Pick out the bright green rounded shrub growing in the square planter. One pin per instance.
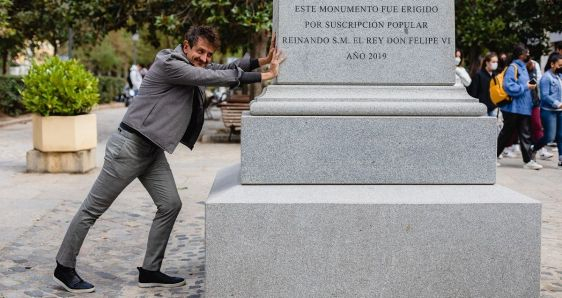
(60, 88)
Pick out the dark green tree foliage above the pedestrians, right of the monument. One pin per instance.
(496, 25)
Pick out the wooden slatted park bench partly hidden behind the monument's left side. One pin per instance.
(232, 110)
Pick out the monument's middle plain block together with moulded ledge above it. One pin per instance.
(374, 135)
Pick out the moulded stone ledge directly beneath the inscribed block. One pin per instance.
(333, 100)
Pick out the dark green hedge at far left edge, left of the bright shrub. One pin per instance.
(10, 99)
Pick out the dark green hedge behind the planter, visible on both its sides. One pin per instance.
(10, 98)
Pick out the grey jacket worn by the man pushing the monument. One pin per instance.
(169, 107)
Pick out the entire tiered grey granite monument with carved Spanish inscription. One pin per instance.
(365, 172)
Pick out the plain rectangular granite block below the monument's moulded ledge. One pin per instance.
(368, 150)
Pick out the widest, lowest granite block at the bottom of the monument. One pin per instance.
(370, 241)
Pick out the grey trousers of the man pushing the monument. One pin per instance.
(127, 157)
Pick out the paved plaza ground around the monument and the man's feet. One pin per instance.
(36, 209)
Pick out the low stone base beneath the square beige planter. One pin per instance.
(61, 162)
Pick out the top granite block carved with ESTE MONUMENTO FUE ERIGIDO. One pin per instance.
(364, 42)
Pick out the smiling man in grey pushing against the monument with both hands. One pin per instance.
(167, 111)
